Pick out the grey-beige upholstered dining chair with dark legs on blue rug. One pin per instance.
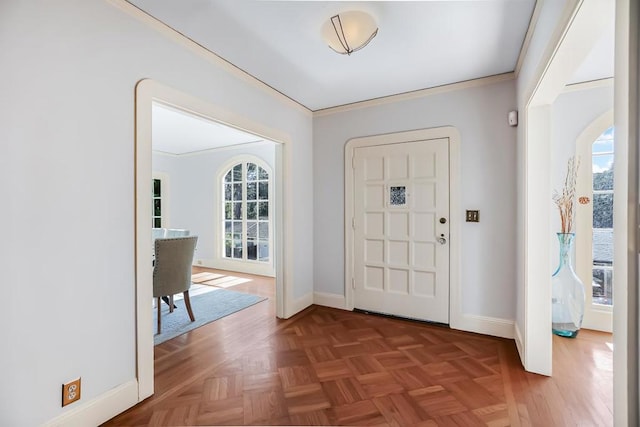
(172, 271)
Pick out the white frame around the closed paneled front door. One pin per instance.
(452, 134)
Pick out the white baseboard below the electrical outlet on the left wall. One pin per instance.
(100, 409)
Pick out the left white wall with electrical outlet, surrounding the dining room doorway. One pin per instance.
(67, 172)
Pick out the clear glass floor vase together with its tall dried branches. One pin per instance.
(567, 291)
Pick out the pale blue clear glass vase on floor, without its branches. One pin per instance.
(567, 292)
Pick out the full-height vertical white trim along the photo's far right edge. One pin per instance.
(625, 214)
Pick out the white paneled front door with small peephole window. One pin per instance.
(401, 229)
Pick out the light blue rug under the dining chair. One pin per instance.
(208, 304)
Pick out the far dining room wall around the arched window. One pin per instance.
(193, 188)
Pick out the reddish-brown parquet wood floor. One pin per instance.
(332, 367)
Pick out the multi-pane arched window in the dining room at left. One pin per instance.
(246, 209)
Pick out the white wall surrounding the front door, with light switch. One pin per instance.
(488, 157)
